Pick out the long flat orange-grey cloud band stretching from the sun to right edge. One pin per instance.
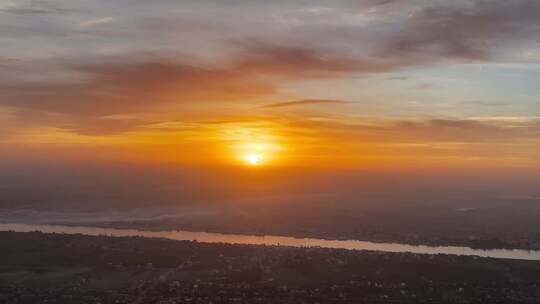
(428, 131)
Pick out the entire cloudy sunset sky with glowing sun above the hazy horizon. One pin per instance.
(335, 84)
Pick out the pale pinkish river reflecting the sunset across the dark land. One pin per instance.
(277, 240)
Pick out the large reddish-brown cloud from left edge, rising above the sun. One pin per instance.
(120, 86)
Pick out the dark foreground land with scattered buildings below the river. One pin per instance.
(54, 268)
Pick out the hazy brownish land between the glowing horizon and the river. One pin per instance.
(413, 207)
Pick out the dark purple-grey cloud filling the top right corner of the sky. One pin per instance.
(465, 29)
